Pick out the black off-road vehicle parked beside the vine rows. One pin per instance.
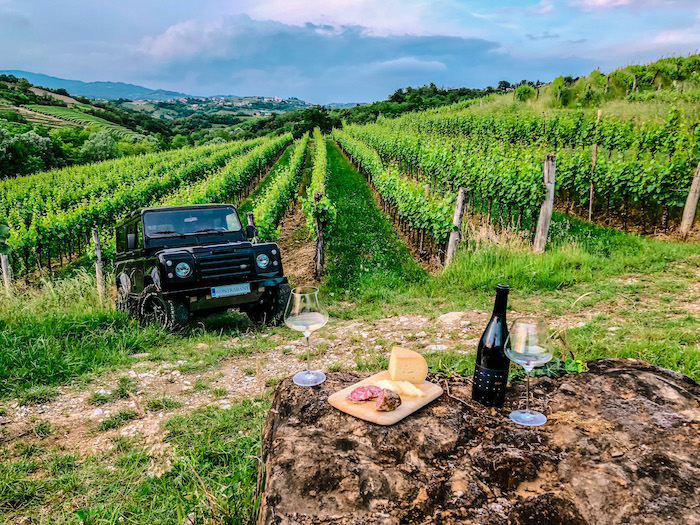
(180, 260)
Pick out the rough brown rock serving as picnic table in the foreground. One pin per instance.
(622, 445)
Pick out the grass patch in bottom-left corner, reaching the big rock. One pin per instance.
(212, 449)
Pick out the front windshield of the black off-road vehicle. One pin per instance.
(192, 221)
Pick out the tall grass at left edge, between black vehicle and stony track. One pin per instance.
(62, 332)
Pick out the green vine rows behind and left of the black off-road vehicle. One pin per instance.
(50, 226)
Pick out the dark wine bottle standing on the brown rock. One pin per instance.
(491, 371)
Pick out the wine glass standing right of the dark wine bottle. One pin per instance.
(529, 345)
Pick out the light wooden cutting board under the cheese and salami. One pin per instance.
(366, 411)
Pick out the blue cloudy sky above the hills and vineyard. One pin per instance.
(337, 50)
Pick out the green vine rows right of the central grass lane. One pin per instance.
(606, 170)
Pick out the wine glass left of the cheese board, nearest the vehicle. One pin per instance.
(305, 314)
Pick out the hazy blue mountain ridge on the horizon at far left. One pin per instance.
(102, 90)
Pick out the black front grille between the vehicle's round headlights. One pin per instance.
(224, 264)
